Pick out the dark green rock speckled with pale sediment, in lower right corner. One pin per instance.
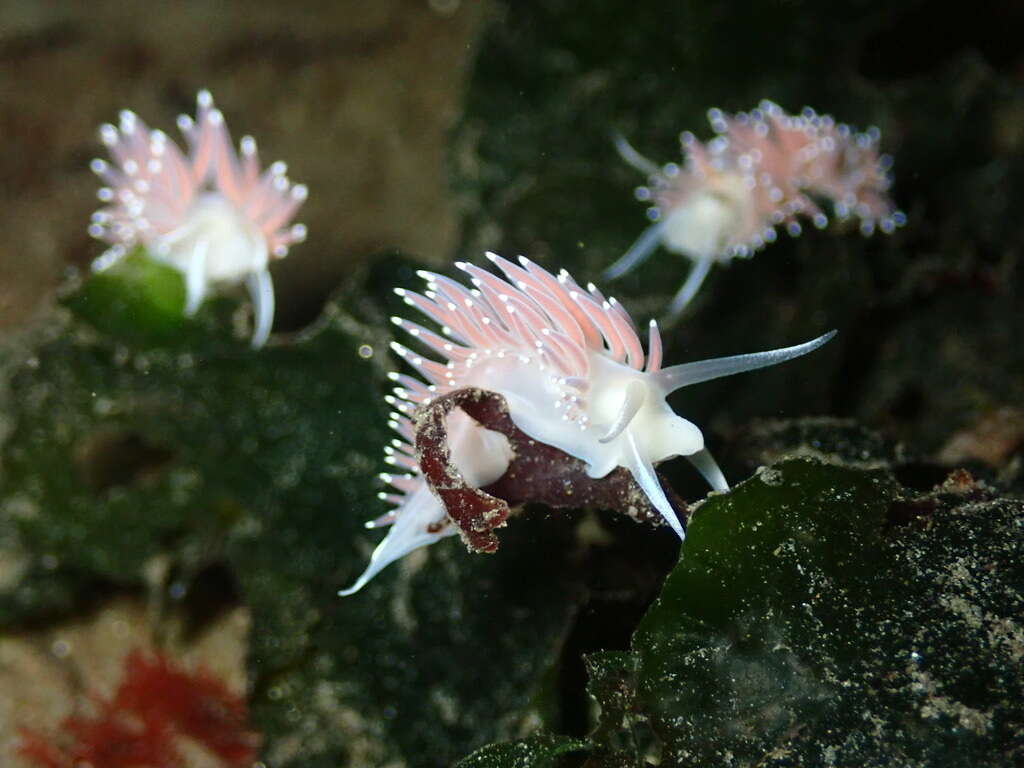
(831, 618)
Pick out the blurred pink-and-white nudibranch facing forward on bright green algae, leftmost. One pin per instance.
(214, 216)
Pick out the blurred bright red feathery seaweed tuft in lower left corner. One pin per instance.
(156, 707)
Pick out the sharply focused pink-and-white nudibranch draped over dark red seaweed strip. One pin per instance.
(574, 373)
